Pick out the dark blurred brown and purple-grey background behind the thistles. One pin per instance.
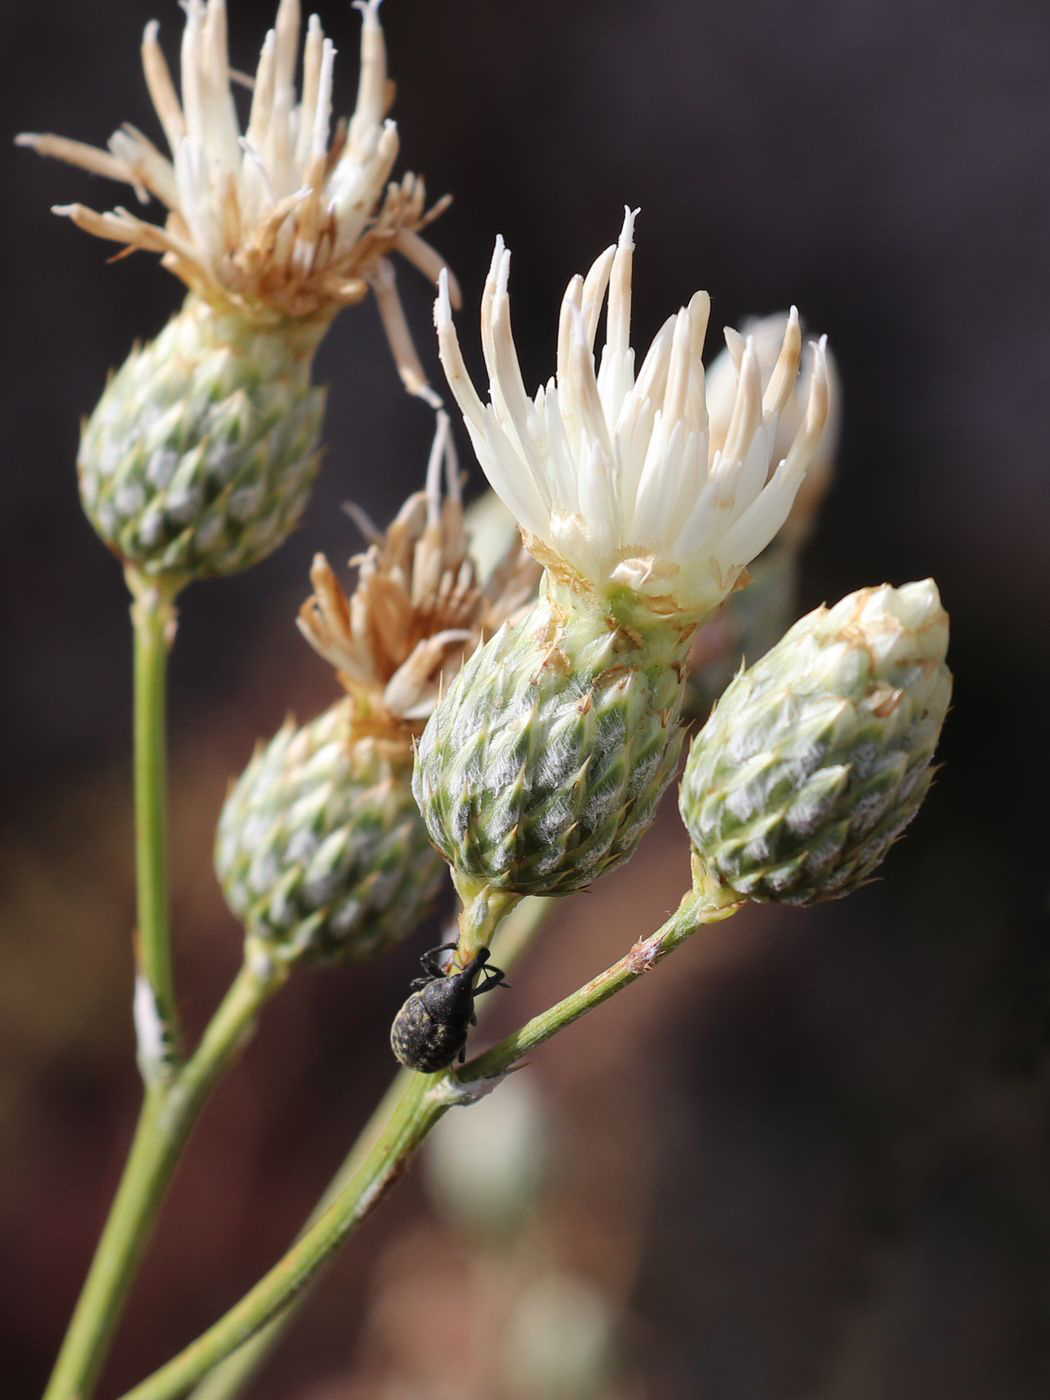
(807, 1160)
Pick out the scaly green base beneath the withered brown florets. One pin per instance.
(320, 850)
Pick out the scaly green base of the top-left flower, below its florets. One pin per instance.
(202, 451)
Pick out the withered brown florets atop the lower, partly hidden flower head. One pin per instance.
(419, 607)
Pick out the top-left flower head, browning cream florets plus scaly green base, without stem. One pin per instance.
(202, 450)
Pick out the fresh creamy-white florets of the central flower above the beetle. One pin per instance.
(611, 474)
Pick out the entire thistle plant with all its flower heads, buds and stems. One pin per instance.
(524, 741)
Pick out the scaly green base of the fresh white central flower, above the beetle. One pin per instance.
(542, 766)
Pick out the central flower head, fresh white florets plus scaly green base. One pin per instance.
(542, 766)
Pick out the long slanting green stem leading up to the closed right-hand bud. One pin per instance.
(421, 1104)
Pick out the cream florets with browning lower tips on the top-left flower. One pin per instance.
(290, 215)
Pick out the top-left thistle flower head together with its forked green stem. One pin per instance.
(199, 457)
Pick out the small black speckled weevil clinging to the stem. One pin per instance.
(430, 1030)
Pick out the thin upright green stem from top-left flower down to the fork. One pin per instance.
(153, 621)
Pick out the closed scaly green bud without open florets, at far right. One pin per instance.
(818, 757)
